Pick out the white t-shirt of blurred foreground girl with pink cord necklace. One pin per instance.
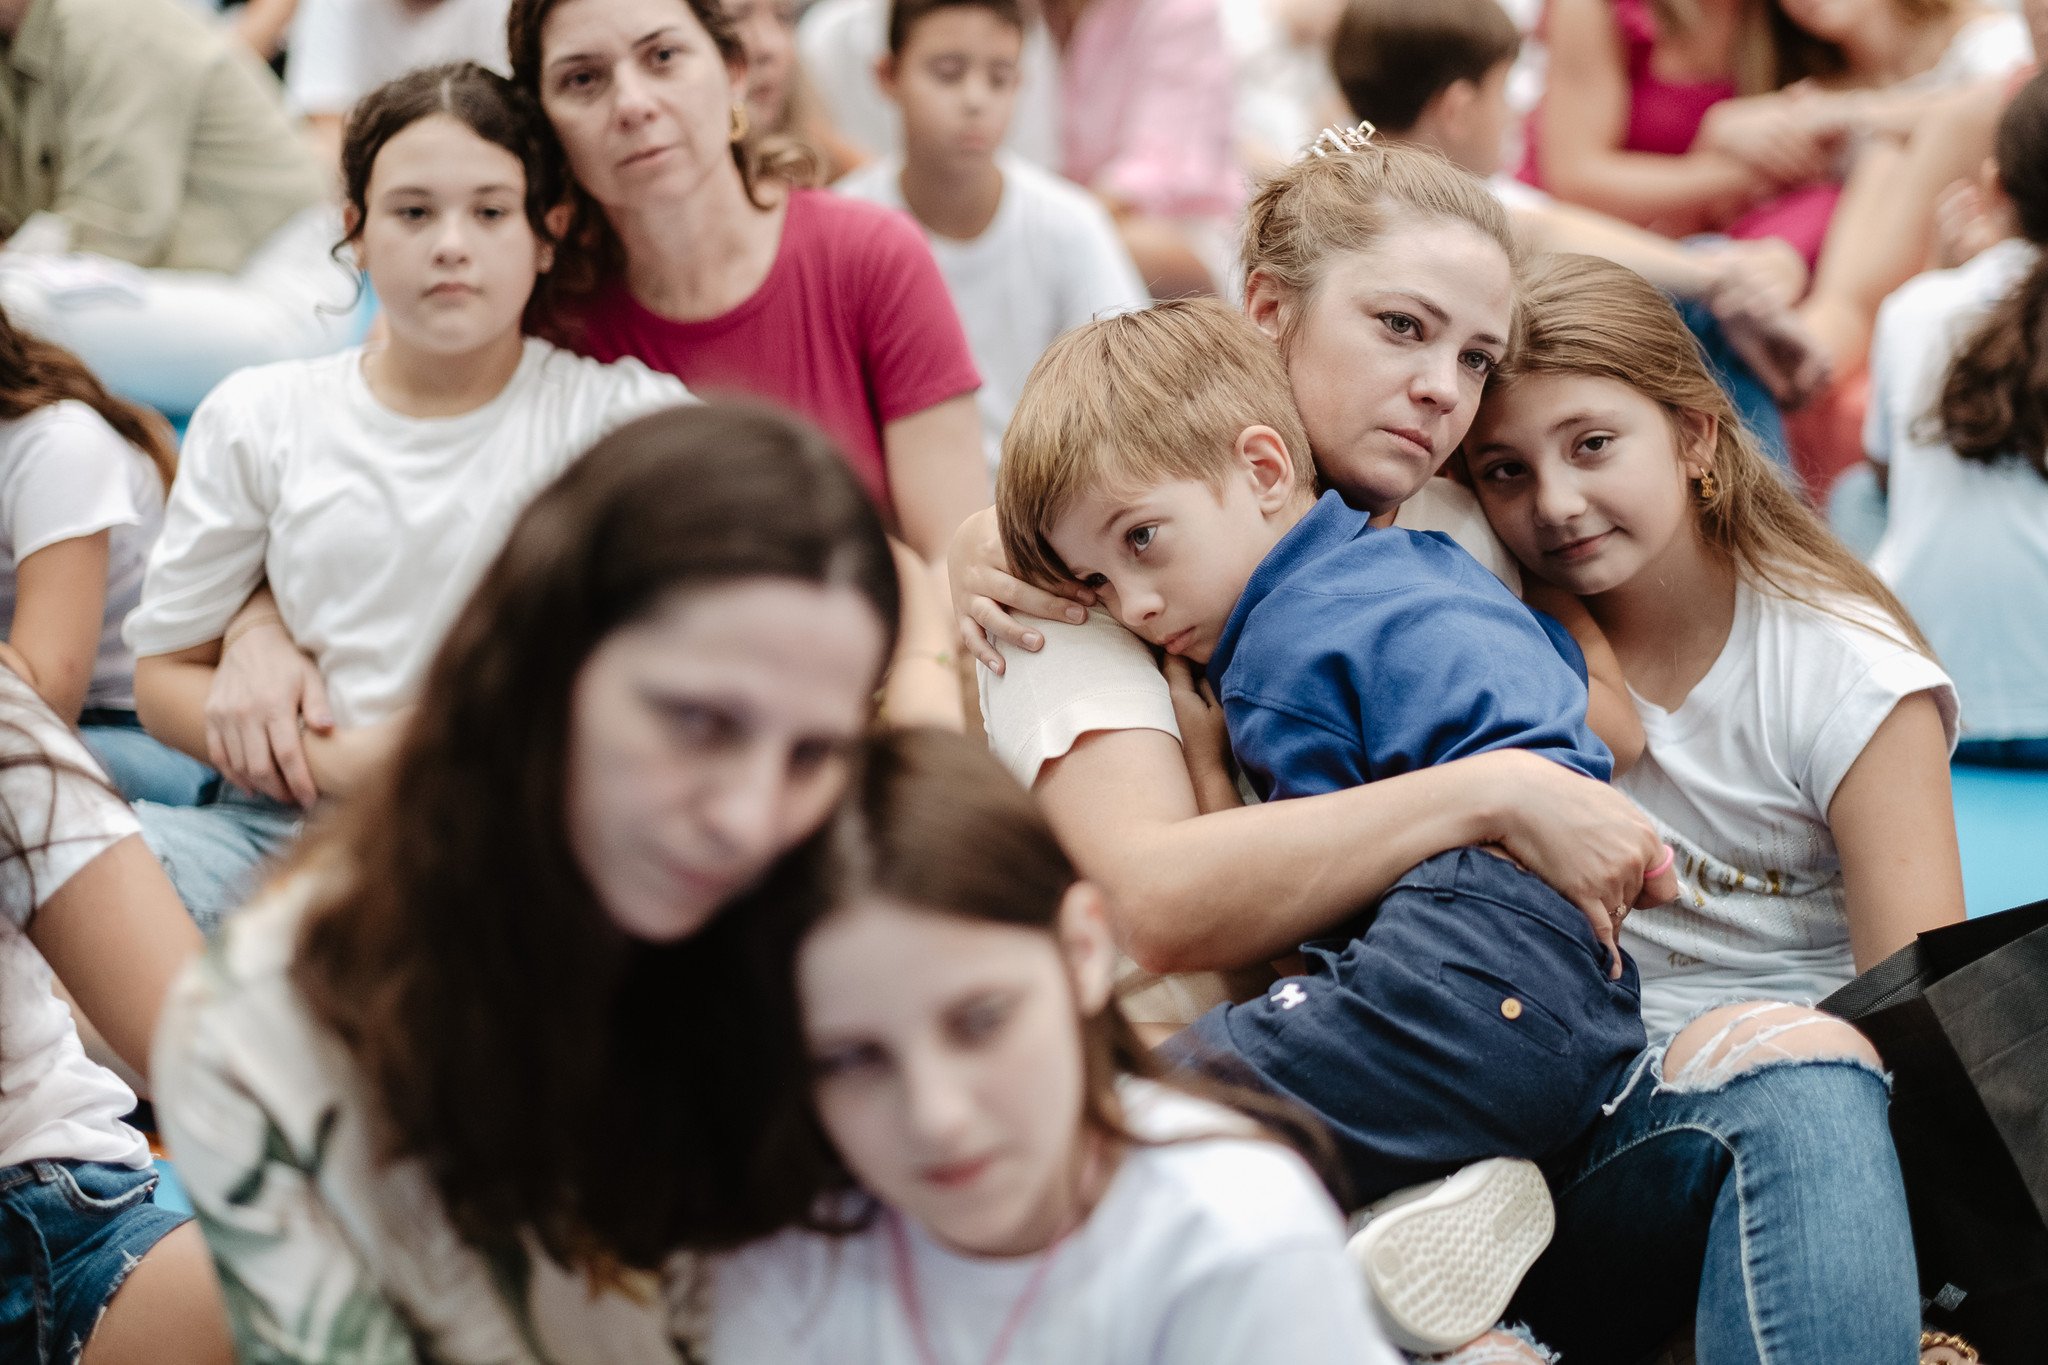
(1211, 1249)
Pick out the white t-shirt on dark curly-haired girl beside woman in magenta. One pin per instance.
(372, 527)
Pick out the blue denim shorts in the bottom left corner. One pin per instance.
(71, 1231)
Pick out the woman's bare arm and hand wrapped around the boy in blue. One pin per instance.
(1242, 887)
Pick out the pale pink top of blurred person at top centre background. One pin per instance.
(1146, 107)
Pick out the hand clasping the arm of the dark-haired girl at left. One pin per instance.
(261, 691)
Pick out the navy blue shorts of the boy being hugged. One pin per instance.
(1465, 1016)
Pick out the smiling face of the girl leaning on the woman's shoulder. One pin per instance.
(1586, 480)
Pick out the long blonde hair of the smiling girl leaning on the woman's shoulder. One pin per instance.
(1588, 316)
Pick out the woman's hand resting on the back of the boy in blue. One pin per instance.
(1580, 836)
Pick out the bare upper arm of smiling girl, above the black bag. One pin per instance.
(1895, 830)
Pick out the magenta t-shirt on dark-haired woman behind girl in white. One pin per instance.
(853, 328)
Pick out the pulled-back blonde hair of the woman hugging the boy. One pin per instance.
(1322, 208)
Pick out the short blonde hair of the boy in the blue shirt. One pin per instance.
(1132, 402)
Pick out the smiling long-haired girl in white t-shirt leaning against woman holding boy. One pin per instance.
(1797, 723)
